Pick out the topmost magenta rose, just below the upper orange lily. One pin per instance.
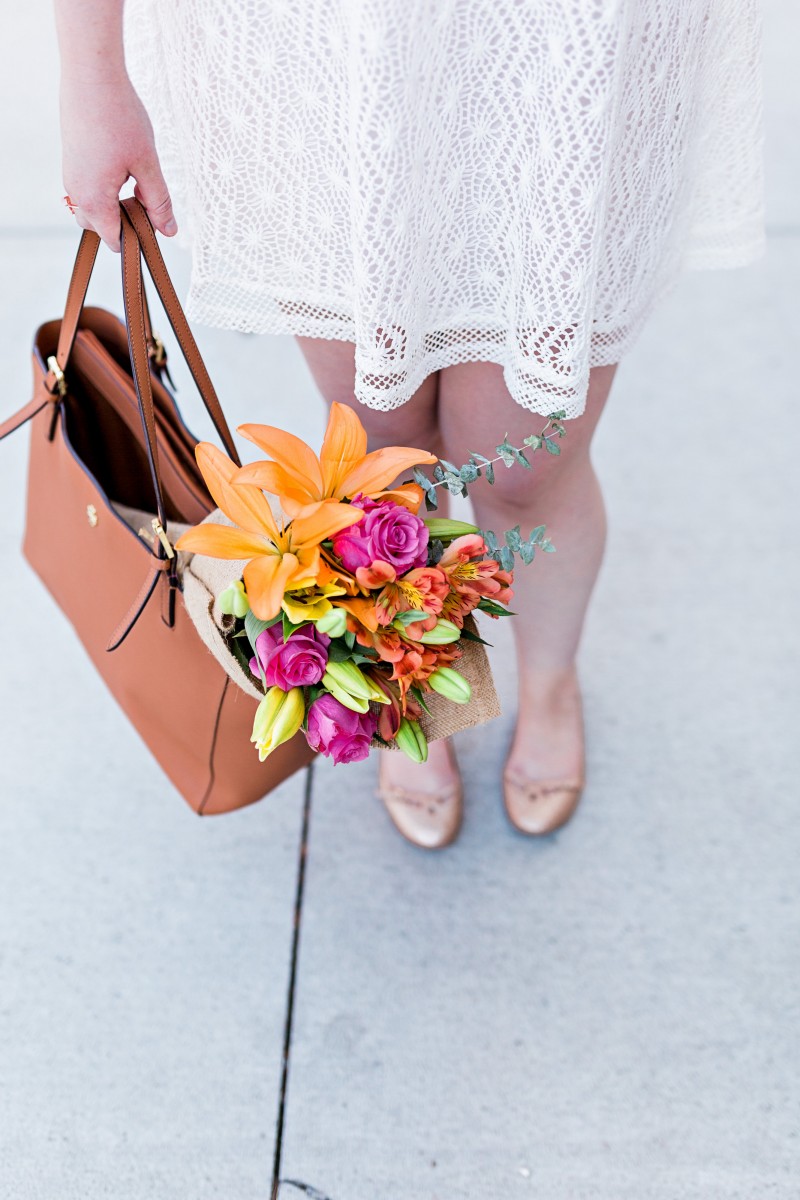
(389, 533)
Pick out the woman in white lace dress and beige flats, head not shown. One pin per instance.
(465, 211)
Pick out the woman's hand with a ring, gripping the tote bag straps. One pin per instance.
(107, 139)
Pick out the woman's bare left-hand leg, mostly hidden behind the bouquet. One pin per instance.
(414, 424)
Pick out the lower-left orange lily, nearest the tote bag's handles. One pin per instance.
(281, 557)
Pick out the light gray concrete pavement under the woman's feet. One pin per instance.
(610, 1015)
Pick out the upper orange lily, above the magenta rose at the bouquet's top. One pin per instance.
(344, 469)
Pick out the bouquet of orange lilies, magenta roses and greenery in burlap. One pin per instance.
(348, 614)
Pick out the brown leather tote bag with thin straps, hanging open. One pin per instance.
(112, 472)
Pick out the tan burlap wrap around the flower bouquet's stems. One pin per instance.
(206, 579)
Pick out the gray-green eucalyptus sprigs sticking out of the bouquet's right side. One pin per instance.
(458, 481)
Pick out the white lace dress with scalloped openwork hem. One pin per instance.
(516, 182)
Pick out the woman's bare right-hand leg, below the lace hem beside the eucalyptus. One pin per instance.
(551, 595)
